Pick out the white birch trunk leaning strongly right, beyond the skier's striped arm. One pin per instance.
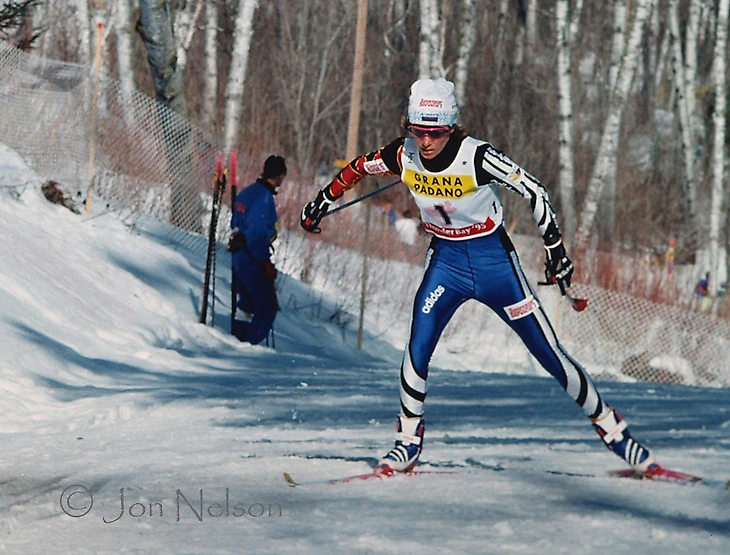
(612, 127)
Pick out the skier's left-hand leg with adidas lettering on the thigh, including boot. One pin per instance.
(436, 300)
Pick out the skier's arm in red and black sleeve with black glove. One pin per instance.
(384, 161)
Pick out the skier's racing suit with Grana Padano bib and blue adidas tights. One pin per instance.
(472, 257)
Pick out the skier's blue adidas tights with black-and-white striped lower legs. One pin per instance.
(485, 269)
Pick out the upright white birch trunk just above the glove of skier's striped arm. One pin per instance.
(565, 115)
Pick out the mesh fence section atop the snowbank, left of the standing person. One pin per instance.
(140, 156)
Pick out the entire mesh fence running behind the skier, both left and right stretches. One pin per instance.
(149, 162)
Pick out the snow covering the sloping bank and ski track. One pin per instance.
(110, 388)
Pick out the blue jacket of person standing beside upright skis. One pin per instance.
(254, 215)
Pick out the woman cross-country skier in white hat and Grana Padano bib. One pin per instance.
(455, 179)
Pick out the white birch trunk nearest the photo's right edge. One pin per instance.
(718, 159)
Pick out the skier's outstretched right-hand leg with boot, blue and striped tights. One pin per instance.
(518, 306)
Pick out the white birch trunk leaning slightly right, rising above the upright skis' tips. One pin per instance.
(237, 75)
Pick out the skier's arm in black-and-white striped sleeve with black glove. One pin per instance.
(495, 167)
